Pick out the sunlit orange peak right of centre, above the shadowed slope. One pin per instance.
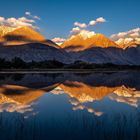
(82, 42)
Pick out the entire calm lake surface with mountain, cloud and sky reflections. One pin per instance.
(70, 106)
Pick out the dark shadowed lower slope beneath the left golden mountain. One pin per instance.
(34, 52)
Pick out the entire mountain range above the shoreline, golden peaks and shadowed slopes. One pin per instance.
(30, 45)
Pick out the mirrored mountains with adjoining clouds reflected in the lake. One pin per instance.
(18, 95)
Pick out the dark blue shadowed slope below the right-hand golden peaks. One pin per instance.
(118, 56)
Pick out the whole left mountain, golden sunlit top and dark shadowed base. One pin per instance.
(29, 45)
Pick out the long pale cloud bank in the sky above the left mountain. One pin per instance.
(17, 22)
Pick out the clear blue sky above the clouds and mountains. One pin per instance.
(58, 16)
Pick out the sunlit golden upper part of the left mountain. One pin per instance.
(22, 35)
